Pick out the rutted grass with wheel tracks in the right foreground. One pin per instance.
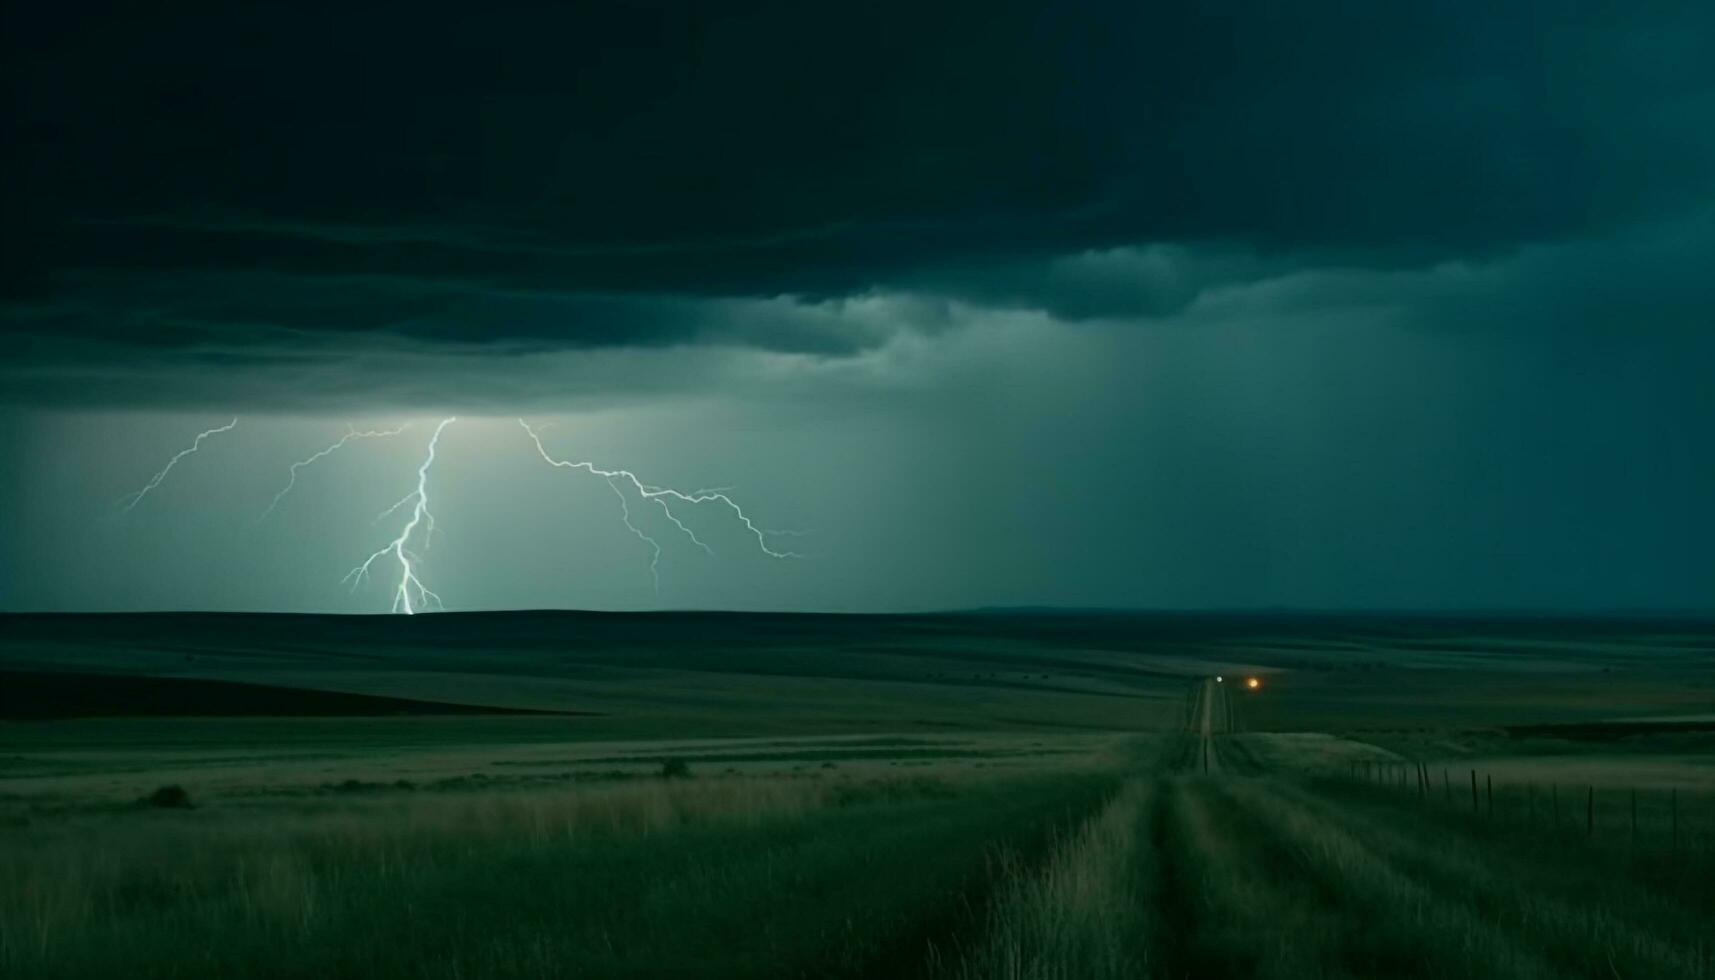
(1282, 880)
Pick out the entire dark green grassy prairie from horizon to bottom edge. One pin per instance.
(956, 797)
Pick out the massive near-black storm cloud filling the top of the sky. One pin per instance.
(255, 181)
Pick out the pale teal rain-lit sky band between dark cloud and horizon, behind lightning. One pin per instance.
(1249, 466)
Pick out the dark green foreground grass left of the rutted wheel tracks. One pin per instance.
(716, 880)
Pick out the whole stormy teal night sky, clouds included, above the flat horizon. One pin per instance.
(1098, 305)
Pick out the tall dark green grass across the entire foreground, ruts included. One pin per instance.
(1020, 878)
